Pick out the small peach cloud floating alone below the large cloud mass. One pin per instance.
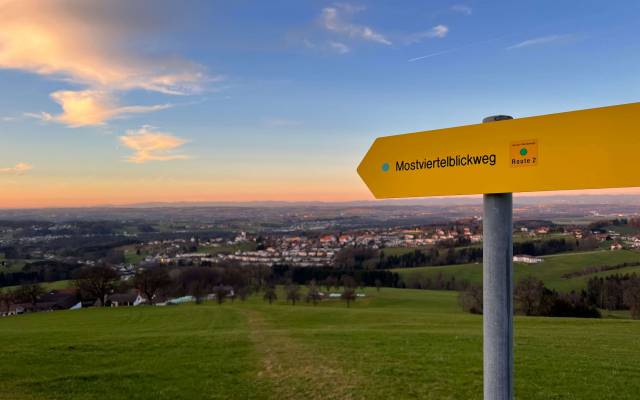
(150, 144)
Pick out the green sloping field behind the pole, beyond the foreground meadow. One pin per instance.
(550, 271)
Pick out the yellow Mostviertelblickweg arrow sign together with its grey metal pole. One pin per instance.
(589, 149)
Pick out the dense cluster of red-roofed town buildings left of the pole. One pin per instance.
(299, 250)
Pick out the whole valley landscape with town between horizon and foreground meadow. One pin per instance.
(53, 247)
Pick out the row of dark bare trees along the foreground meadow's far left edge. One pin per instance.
(159, 283)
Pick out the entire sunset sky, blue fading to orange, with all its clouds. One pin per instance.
(120, 102)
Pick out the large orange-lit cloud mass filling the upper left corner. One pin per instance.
(74, 43)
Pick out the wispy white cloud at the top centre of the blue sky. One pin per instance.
(336, 19)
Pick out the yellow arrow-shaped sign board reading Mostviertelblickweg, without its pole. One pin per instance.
(589, 149)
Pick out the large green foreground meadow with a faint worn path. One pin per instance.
(396, 344)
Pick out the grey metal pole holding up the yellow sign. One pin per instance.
(497, 279)
